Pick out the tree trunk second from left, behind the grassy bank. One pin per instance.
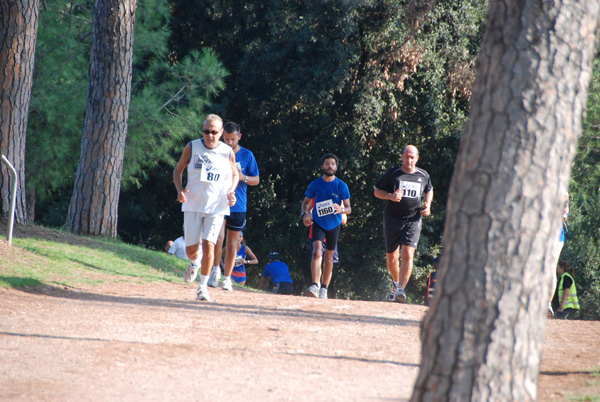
(94, 204)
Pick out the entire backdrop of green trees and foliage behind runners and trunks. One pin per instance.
(360, 78)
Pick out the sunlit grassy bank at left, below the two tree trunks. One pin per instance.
(73, 260)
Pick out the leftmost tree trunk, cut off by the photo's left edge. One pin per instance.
(18, 34)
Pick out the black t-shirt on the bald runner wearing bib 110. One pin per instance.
(414, 184)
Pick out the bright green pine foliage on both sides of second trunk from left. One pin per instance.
(166, 102)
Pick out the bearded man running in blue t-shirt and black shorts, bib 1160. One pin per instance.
(331, 200)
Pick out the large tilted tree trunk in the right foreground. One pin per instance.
(482, 337)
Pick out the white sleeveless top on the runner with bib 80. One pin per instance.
(209, 178)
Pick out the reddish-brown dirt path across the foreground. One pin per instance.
(154, 342)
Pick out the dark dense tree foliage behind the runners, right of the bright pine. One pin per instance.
(361, 79)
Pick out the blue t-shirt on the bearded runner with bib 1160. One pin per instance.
(325, 194)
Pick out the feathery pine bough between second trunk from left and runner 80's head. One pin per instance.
(164, 112)
